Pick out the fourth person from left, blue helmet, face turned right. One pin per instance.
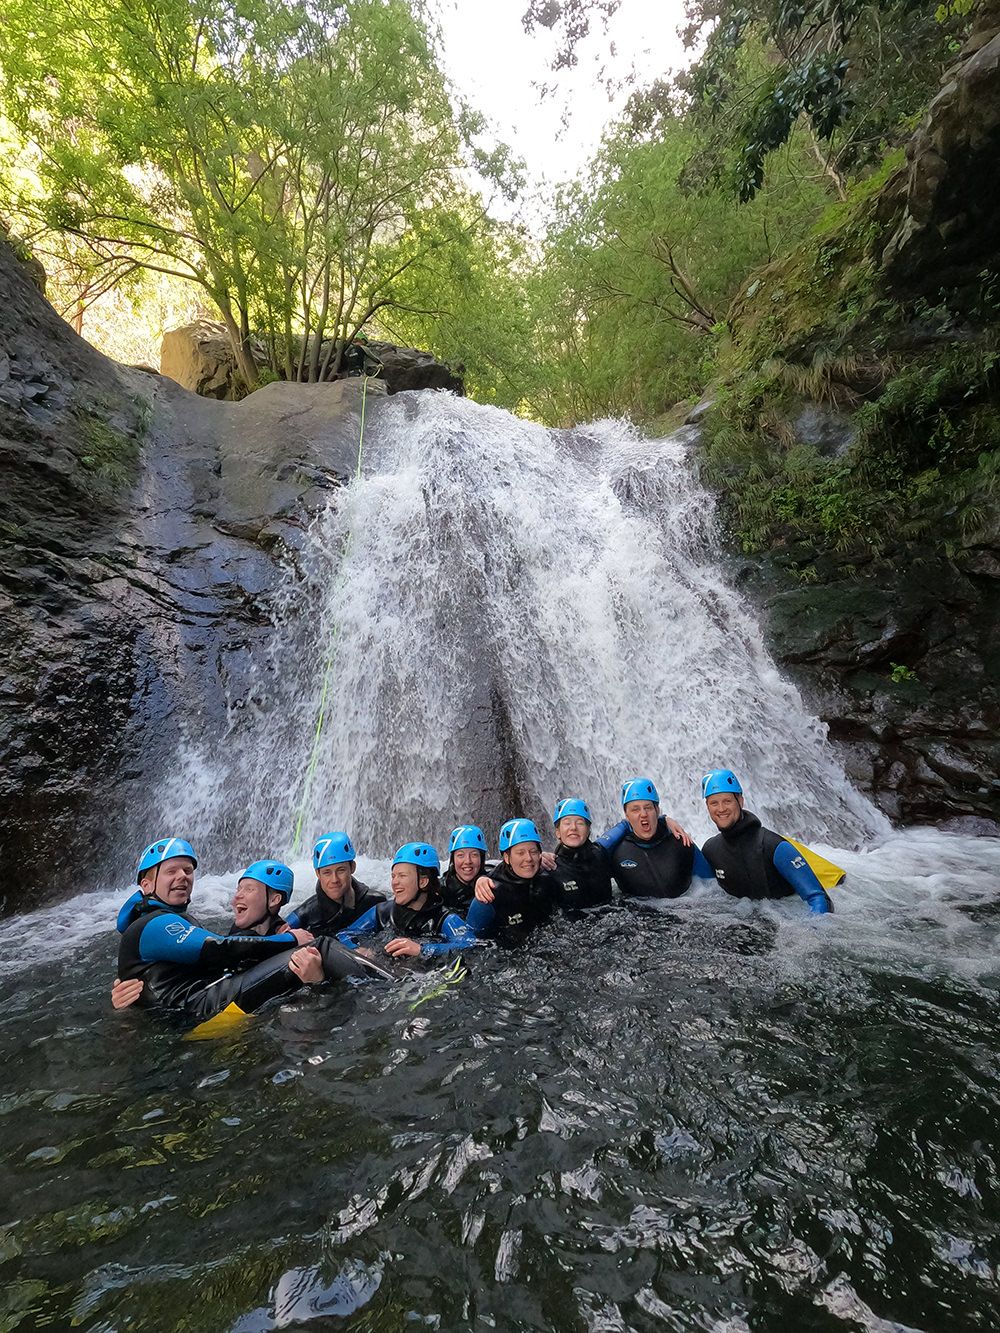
(425, 926)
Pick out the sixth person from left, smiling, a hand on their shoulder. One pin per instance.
(519, 896)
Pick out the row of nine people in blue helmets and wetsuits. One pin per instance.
(167, 960)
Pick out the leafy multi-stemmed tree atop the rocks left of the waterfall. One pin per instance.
(283, 158)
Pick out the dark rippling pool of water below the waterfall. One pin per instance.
(714, 1118)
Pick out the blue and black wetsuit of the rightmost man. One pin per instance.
(751, 862)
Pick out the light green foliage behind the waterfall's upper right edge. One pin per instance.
(638, 273)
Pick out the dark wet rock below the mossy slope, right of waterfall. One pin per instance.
(902, 661)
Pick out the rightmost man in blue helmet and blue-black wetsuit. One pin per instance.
(749, 860)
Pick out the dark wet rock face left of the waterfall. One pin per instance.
(142, 531)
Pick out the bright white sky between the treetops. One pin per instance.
(502, 70)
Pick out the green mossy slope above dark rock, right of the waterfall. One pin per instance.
(922, 383)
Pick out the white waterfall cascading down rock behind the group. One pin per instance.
(515, 615)
